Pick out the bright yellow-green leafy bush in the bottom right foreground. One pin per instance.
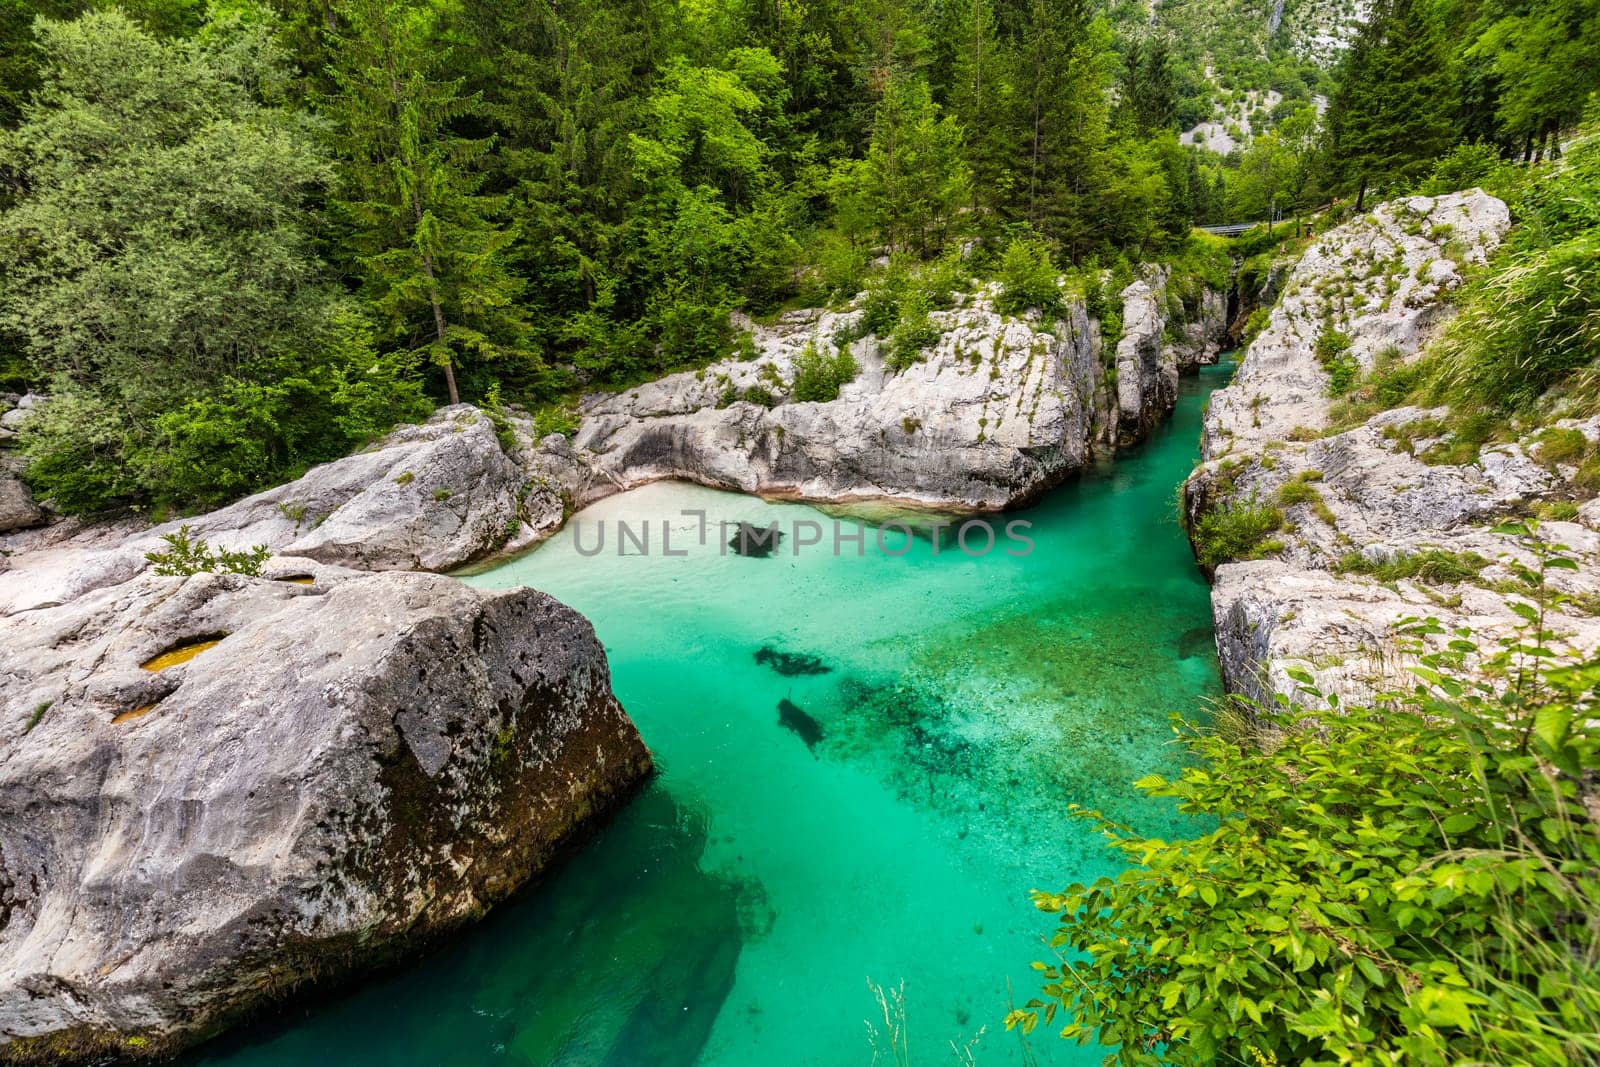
(1404, 882)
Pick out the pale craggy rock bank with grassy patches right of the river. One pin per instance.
(1372, 495)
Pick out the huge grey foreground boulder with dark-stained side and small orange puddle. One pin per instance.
(359, 765)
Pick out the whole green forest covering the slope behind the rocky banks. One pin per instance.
(247, 238)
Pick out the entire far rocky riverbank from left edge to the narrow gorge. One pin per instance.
(998, 412)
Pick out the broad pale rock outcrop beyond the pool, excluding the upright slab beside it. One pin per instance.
(998, 412)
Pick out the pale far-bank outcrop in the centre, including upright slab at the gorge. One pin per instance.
(993, 415)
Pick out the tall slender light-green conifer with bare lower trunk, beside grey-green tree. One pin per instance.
(428, 244)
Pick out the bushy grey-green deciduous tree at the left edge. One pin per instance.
(191, 346)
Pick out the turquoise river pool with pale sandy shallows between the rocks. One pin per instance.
(814, 829)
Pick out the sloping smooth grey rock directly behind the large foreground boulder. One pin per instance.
(428, 497)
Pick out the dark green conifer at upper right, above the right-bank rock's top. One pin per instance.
(1391, 114)
